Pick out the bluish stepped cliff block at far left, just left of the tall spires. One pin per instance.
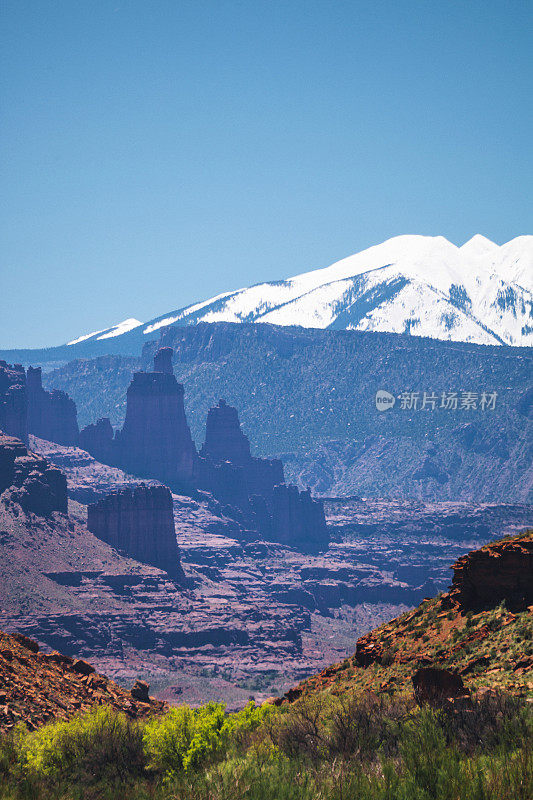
(51, 415)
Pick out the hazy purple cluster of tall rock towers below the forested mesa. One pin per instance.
(155, 442)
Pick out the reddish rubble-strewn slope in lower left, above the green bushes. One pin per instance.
(38, 687)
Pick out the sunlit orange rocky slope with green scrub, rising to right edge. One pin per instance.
(469, 631)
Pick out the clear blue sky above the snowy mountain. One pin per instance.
(158, 152)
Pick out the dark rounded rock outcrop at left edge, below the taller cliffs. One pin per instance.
(28, 479)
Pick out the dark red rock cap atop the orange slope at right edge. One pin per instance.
(496, 572)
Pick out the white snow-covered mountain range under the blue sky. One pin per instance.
(423, 285)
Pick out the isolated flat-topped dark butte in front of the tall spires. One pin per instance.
(139, 522)
